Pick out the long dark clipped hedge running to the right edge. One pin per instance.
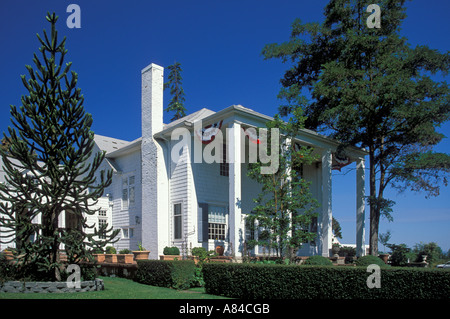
(253, 281)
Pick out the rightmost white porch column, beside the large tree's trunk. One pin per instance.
(360, 207)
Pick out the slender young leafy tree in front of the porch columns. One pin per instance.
(285, 208)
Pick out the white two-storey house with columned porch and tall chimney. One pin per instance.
(165, 195)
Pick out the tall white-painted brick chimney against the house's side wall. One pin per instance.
(155, 195)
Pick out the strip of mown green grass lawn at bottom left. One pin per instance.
(120, 288)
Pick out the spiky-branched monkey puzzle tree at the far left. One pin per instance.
(50, 168)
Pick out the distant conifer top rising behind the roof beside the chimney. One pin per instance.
(176, 104)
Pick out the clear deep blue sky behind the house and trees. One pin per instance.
(219, 45)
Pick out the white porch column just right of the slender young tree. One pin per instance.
(326, 213)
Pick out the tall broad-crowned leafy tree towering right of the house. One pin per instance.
(369, 88)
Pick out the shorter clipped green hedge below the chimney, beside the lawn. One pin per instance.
(178, 274)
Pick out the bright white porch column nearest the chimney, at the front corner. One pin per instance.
(234, 158)
